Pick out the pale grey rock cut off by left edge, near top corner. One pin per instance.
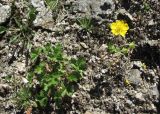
(5, 13)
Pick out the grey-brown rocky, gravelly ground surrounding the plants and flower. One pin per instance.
(112, 83)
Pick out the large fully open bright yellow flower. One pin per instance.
(119, 28)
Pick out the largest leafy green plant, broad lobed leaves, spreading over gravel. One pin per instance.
(51, 77)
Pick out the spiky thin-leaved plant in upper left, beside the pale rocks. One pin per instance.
(22, 29)
